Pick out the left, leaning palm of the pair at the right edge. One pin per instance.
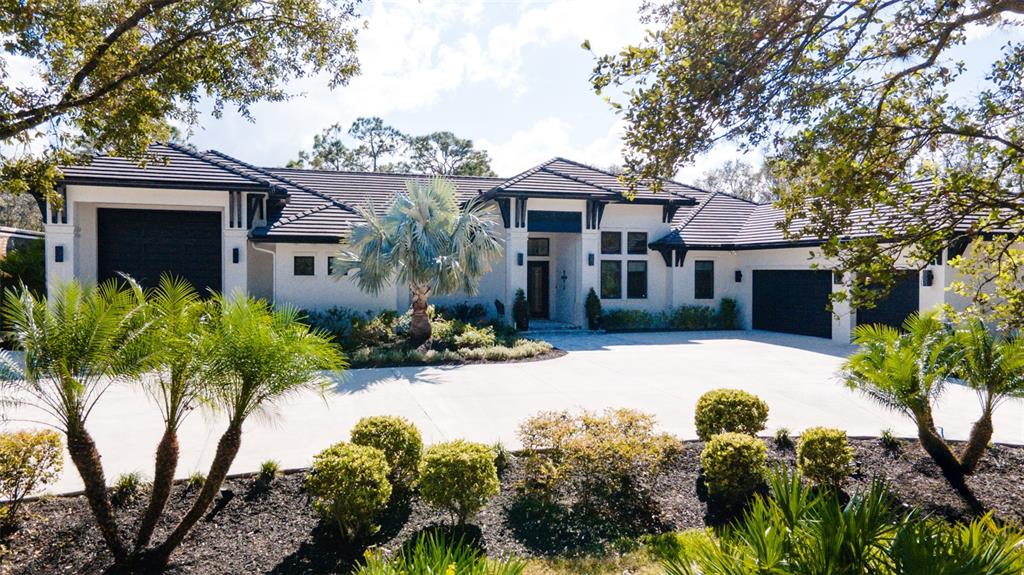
(907, 372)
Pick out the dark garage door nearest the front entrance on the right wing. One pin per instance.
(793, 302)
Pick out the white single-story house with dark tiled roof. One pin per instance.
(274, 233)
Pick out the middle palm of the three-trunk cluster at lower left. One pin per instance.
(181, 361)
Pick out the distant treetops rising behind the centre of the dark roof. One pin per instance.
(381, 148)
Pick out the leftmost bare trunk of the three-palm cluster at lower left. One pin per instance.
(87, 459)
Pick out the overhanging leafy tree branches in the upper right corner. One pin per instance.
(851, 102)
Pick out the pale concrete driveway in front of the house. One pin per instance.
(662, 374)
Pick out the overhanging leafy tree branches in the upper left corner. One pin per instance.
(112, 76)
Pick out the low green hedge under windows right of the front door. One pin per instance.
(682, 319)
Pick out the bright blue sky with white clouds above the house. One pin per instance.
(509, 75)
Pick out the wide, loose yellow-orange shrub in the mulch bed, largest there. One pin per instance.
(607, 463)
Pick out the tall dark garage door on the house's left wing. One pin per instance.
(146, 244)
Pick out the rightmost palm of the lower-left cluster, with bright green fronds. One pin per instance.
(259, 357)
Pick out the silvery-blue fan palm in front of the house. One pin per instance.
(426, 241)
